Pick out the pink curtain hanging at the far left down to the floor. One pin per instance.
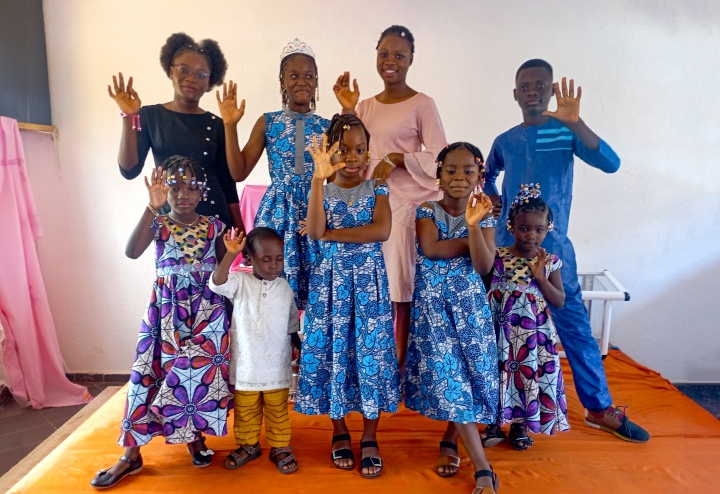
(31, 354)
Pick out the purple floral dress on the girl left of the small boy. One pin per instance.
(179, 381)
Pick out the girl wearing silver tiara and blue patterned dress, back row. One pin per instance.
(291, 167)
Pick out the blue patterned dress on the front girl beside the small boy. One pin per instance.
(348, 358)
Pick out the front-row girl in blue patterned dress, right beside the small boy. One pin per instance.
(348, 358)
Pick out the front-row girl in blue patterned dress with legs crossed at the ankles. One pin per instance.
(451, 372)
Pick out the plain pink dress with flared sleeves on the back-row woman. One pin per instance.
(412, 127)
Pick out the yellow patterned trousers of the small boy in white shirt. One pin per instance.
(251, 406)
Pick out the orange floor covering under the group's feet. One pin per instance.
(682, 456)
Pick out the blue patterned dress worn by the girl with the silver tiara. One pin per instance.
(285, 202)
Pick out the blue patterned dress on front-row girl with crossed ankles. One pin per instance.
(451, 372)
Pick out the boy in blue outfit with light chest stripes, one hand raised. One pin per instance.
(542, 149)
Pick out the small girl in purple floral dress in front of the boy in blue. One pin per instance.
(525, 279)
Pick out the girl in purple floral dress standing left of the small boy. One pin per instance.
(178, 383)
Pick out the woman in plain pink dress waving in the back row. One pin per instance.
(407, 134)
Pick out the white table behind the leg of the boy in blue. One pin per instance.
(602, 287)
